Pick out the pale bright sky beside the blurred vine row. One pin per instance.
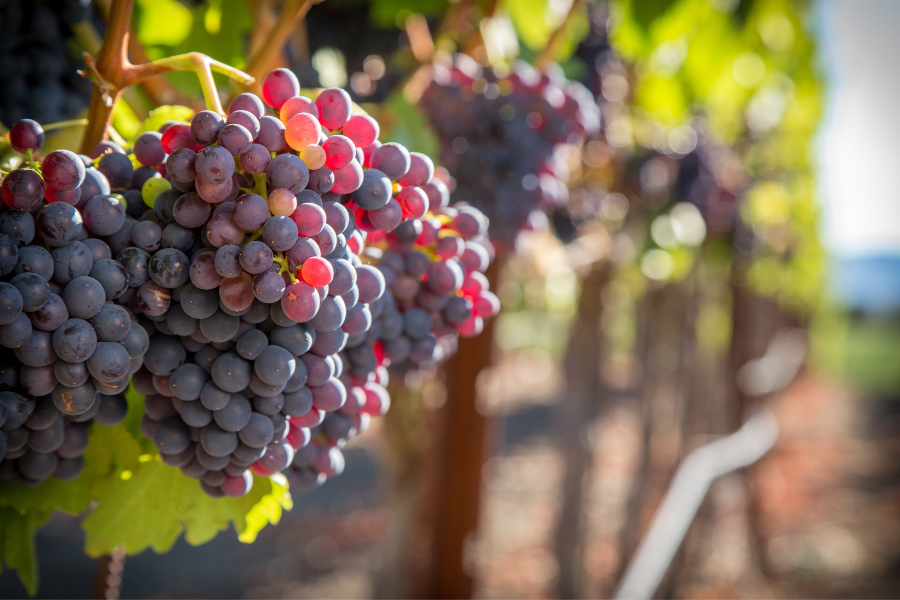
(860, 138)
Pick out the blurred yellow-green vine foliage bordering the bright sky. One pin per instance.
(747, 71)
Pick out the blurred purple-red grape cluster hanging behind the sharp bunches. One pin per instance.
(499, 135)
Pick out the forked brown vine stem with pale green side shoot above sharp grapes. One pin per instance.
(112, 72)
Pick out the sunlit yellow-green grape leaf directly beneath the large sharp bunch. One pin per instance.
(152, 507)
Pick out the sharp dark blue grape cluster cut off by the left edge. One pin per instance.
(68, 348)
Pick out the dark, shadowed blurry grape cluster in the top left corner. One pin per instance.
(38, 63)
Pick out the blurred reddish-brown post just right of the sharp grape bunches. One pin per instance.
(466, 437)
